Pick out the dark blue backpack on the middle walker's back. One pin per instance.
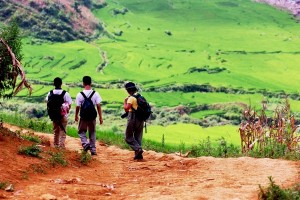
(87, 109)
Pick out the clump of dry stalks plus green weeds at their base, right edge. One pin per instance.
(274, 137)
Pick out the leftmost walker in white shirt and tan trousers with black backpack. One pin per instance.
(58, 105)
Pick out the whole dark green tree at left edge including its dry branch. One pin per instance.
(10, 56)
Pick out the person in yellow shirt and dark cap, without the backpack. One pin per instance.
(134, 129)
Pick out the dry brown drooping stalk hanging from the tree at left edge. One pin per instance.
(17, 70)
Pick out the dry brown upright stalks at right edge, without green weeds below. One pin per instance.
(257, 130)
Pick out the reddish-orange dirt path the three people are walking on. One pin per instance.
(160, 176)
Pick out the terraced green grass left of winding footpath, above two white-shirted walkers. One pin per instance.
(66, 60)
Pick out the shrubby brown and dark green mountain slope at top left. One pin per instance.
(58, 20)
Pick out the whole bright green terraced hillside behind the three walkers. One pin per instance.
(196, 61)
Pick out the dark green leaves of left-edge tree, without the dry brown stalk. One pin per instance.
(11, 35)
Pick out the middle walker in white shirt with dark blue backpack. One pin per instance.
(85, 103)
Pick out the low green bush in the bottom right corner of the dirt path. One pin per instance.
(274, 192)
